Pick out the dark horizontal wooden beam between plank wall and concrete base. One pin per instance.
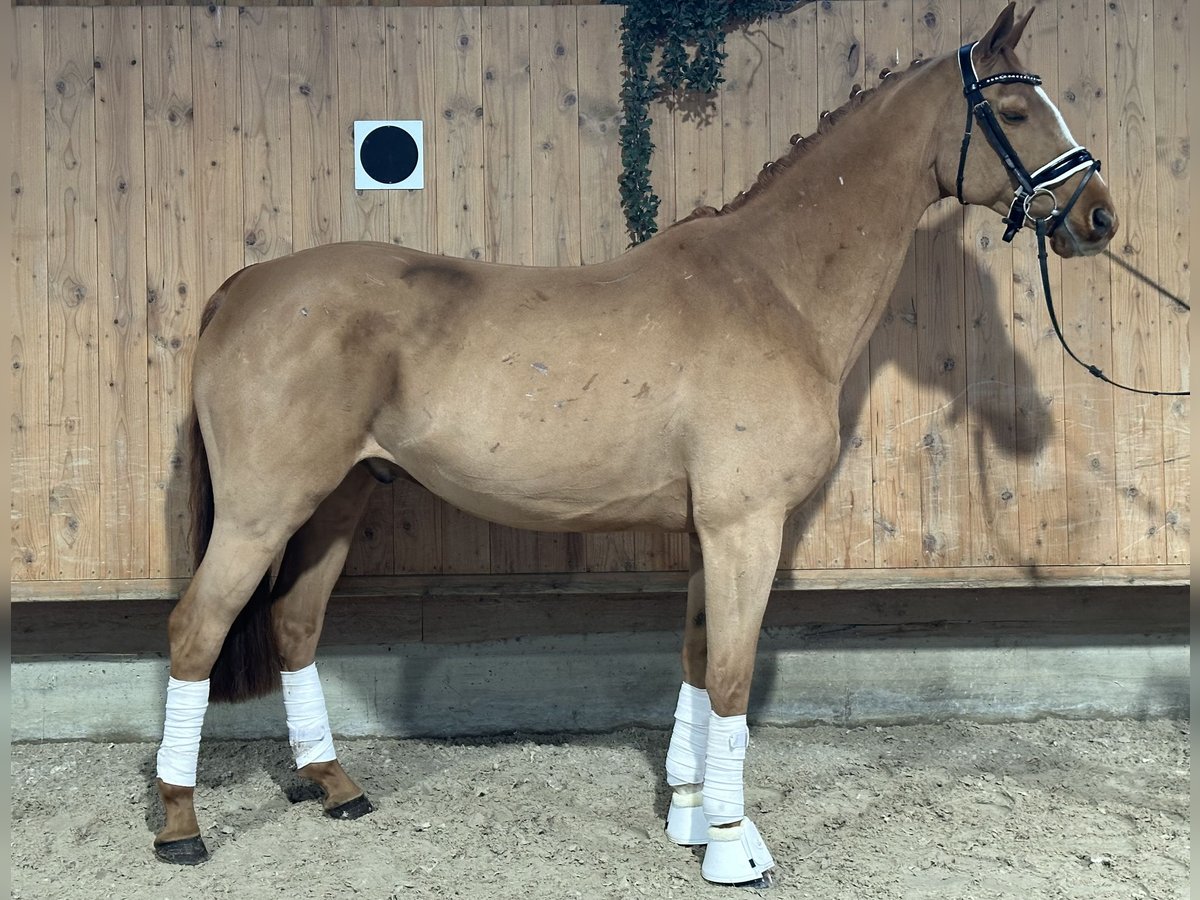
(964, 617)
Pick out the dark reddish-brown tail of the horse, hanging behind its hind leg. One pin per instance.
(248, 665)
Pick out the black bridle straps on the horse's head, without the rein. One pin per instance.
(1029, 185)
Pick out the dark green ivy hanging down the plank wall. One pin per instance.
(675, 27)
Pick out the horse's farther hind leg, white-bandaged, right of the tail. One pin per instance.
(311, 565)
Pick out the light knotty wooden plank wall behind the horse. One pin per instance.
(183, 143)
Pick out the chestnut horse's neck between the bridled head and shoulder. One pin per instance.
(835, 227)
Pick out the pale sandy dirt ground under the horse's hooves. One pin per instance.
(1054, 809)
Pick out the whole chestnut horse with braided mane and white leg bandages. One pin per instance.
(688, 386)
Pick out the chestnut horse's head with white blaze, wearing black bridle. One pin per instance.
(1034, 170)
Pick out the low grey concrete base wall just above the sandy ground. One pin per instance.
(601, 682)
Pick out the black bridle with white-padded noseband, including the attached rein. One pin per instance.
(1030, 187)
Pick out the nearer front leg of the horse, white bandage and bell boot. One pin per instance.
(740, 562)
